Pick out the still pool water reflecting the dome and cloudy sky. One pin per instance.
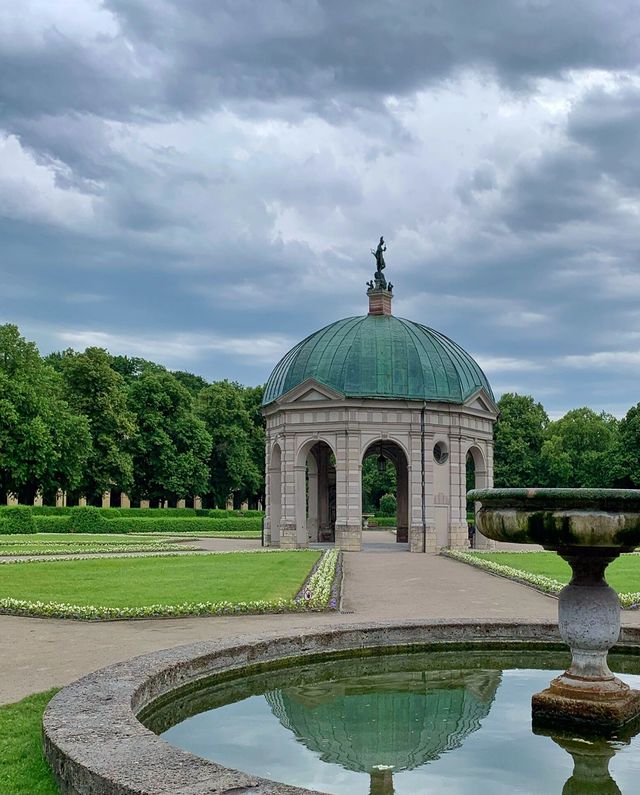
(445, 722)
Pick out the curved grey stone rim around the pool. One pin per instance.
(95, 743)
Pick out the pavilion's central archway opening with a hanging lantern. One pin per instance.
(385, 486)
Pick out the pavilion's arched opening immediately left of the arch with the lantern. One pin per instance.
(315, 474)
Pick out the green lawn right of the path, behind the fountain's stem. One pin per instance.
(623, 574)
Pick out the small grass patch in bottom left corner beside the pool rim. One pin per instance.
(23, 770)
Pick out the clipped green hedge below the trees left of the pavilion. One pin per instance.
(20, 519)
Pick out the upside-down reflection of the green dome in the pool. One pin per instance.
(386, 723)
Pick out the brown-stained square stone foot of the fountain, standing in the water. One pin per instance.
(604, 705)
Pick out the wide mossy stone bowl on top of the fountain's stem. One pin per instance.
(556, 518)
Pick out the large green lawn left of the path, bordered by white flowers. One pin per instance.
(138, 582)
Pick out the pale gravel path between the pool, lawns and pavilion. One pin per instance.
(36, 654)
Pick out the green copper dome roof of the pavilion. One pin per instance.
(380, 356)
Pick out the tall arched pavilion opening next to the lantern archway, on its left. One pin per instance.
(320, 494)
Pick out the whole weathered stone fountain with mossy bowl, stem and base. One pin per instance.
(588, 528)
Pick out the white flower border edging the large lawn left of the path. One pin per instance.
(317, 594)
